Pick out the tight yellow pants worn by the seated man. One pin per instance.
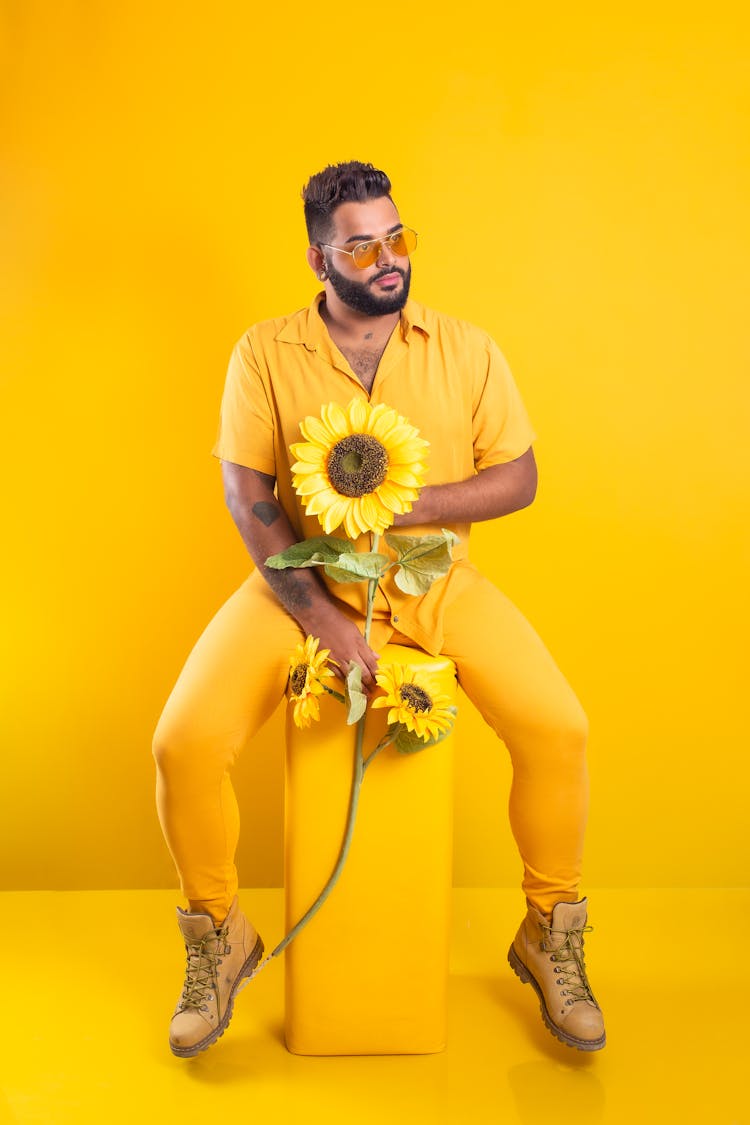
(237, 676)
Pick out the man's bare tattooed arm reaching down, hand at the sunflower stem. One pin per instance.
(266, 530)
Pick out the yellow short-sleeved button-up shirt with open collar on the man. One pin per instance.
(447, 377)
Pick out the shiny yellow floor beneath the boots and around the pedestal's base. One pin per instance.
(91, 979)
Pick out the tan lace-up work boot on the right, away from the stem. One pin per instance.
(550, 958)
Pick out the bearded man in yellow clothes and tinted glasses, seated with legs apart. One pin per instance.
(363, 337)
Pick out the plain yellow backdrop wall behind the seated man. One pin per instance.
(580, 182)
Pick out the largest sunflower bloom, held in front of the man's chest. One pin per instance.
(360, 466)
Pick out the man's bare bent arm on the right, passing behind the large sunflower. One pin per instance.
(496, 491)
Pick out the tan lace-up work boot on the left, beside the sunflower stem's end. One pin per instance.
(219, 959)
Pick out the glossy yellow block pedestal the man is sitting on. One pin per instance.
(369, 974)
